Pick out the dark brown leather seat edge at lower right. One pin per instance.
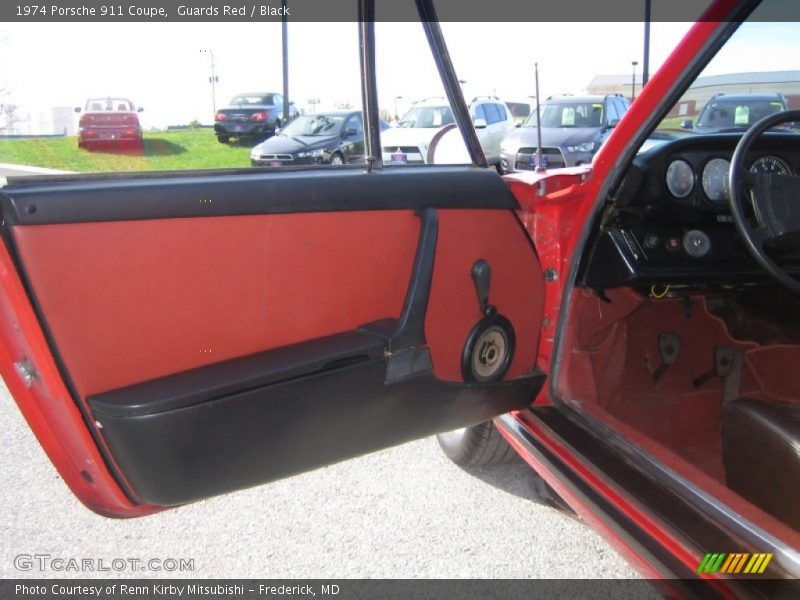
(761, 454)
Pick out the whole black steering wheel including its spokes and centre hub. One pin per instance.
(775, 201)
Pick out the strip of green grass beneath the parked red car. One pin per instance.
(161, 150)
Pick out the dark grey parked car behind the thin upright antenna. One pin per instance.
(573, 129)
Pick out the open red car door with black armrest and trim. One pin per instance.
(171, 337)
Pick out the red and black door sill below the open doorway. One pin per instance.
(680, 510)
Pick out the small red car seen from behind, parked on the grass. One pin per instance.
(108, 120)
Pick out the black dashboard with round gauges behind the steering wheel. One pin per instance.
(670, 224)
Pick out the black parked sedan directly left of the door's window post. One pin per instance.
(333, 138)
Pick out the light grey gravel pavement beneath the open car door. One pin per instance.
(404, 512)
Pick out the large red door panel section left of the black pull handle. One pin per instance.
(130, 301)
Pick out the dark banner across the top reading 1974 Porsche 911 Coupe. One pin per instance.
(154, 11)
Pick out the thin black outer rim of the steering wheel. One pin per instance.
(742, 185)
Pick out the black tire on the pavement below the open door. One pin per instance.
(478, 446)
